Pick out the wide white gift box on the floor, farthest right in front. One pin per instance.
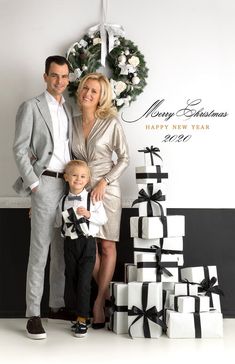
(191, 325)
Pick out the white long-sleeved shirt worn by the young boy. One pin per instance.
(98, 215)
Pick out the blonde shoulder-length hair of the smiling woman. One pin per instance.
(105, 107)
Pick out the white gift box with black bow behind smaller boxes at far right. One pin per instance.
(206, 277)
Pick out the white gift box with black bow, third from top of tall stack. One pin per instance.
(151, 201)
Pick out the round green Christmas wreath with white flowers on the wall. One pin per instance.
(128, 71)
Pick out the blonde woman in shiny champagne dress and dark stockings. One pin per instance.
(97, 134)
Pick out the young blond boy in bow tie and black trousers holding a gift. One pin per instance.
(79, 219)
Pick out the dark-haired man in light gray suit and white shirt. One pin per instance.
(41, 149)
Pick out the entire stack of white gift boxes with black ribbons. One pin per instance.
(158, 294)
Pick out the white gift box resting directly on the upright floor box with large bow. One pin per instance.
(147, 270)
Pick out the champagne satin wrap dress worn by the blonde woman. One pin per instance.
(105, 137)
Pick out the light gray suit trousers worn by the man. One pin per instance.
(44, 236)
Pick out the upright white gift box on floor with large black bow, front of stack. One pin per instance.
(136, 297)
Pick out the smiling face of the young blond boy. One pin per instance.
(77, 178)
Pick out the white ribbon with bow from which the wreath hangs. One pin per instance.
(108, 32)
